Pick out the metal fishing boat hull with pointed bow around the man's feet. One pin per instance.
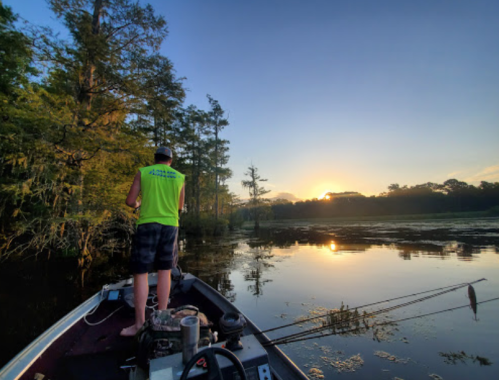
(72, 345)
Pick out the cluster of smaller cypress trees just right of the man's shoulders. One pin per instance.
(202, 156)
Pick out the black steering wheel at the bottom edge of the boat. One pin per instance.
(214, 372)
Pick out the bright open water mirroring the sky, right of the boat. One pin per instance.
(294, 281)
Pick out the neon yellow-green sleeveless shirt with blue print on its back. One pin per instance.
(160, 186)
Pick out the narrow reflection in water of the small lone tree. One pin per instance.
(260, 254)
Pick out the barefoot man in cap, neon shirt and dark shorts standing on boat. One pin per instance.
(155, 243)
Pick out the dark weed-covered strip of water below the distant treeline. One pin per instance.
(454, 237)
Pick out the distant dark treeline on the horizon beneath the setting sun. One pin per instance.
(428, 198)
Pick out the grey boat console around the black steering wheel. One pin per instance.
(252, 356)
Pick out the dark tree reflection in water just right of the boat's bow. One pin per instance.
(211, 261)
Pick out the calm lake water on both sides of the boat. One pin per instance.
(284, 270)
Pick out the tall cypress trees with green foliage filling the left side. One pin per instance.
(75, 132)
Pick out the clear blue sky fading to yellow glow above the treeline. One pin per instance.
(341, 95)
